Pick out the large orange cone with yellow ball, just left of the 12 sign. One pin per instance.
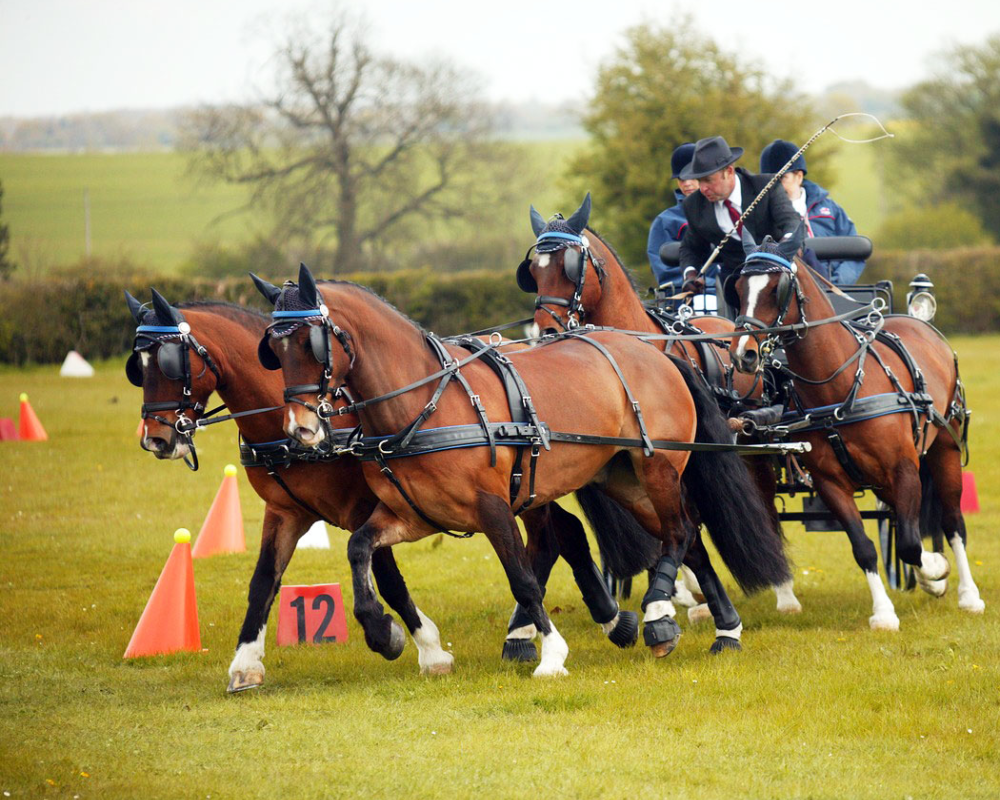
(170, 621)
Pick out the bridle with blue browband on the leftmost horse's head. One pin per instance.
(174, 359)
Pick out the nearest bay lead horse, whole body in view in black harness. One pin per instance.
(380, 355)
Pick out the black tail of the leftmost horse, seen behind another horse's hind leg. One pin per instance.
(626, 548)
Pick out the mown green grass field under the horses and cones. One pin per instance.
(816, 706)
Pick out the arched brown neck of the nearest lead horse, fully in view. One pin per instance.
(390, 352)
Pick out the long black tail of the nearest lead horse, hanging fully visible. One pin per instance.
(728, 499)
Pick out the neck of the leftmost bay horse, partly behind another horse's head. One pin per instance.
(243, 384)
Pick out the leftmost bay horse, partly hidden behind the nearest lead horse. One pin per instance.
(222, 358)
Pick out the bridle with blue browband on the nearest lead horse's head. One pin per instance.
(321, 328)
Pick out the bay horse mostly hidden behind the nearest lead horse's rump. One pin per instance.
(579, 279)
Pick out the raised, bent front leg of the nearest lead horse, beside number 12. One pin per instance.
(382, 633)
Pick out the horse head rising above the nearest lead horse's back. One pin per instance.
(558, 271)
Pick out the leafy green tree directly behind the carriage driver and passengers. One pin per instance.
(663, 87)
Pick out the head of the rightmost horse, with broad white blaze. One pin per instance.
(763, 291)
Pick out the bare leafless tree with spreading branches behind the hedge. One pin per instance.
(354, 148)
